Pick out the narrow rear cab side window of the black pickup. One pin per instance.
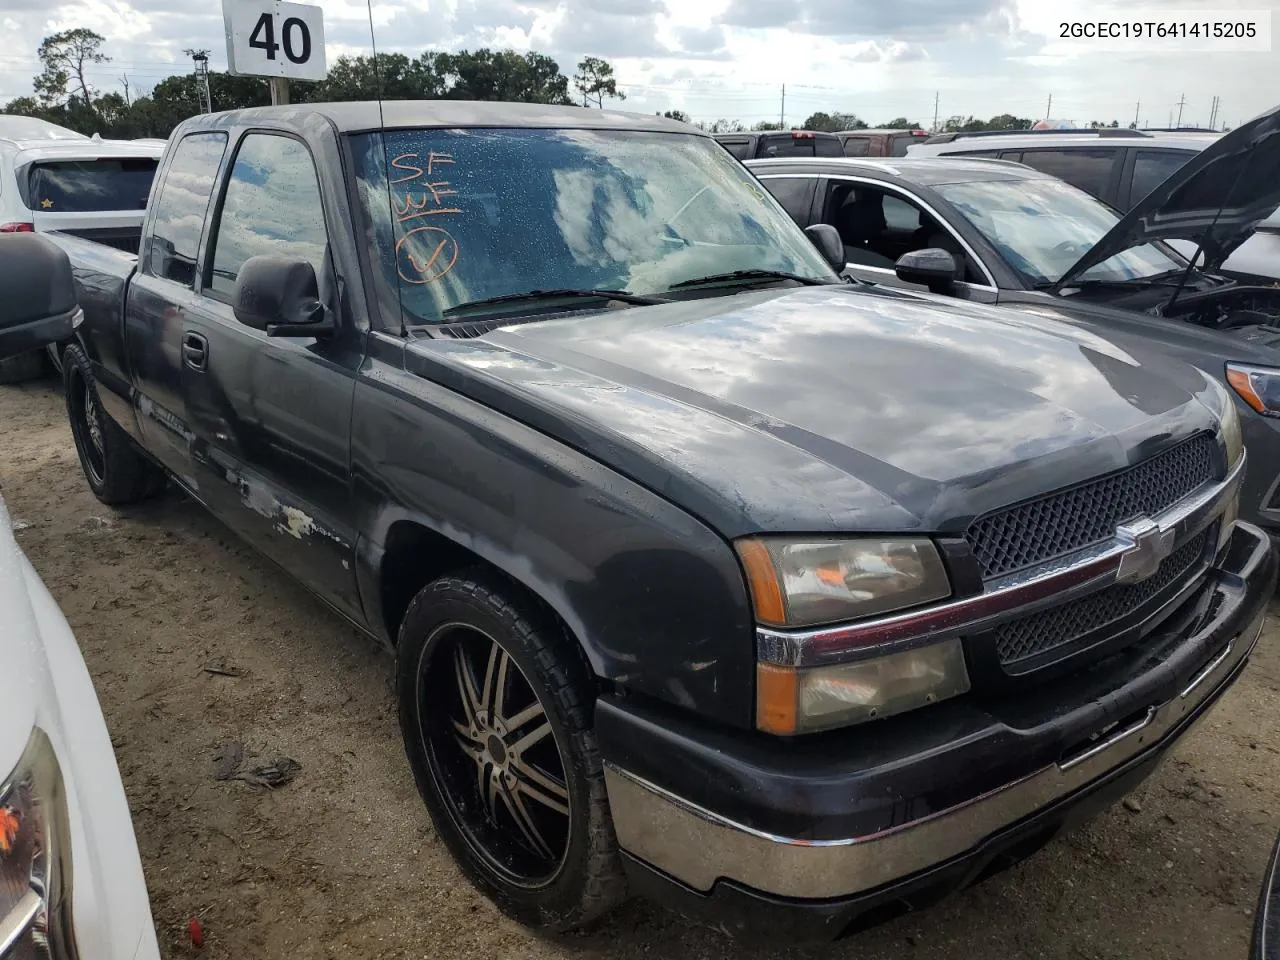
(181, 208)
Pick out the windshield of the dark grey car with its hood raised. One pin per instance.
(1044, 227)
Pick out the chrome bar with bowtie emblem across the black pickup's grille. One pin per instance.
(1017, 596)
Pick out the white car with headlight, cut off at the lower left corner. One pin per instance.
(71, 877)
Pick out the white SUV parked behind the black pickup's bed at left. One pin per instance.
(56, 180)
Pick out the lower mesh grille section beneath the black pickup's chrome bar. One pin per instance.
(1040, 633)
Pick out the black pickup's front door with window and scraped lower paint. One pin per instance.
(272, 415)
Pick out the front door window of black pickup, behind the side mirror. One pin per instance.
(272, 207)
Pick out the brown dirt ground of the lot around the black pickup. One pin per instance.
(344, 862)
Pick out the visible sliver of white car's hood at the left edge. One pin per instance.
(22, 661)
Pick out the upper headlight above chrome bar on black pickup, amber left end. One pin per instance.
(801, 583)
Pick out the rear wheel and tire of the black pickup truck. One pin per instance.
(116, 469)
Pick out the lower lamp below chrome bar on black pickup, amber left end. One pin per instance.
(806, 700)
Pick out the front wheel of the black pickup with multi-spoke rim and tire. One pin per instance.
(542, 868)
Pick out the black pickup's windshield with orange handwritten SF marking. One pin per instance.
(477, 214)
